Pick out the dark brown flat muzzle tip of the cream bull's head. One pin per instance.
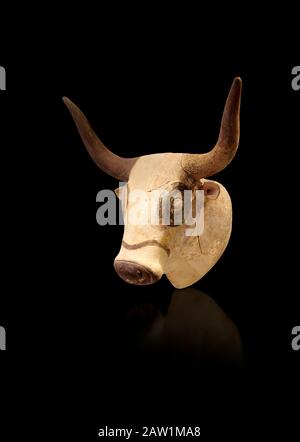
(135, 273)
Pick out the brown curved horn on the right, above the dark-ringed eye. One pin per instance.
(205, 165)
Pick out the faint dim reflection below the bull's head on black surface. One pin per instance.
(194, 328)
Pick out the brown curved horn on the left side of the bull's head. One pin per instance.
(110, 163)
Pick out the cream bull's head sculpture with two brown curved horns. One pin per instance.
(150, 250)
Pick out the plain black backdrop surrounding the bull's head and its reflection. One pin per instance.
(149, 87)
